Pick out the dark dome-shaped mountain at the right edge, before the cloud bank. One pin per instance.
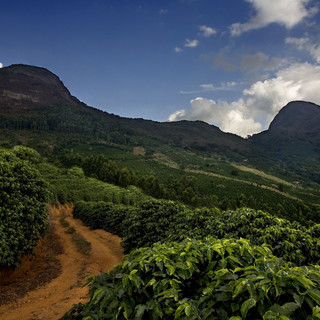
(293, 139)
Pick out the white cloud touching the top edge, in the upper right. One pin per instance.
(287, 13)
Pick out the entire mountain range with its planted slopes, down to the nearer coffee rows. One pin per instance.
(190, 161)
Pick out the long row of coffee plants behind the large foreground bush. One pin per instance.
(162, 220)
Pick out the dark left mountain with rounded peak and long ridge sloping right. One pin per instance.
(33, 98)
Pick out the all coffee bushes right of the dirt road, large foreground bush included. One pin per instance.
(197, 275)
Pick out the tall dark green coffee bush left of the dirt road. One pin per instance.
(23, 217)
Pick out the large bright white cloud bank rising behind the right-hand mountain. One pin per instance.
(300, 81)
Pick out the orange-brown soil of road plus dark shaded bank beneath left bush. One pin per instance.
(47, 284)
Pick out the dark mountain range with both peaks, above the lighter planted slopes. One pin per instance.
(38, 110)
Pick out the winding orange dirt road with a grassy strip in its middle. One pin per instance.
(51, 301)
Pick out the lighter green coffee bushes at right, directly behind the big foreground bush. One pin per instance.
(289, 240)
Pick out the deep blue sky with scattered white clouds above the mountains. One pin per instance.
(231, 63)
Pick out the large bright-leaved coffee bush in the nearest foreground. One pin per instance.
(209, 279)
